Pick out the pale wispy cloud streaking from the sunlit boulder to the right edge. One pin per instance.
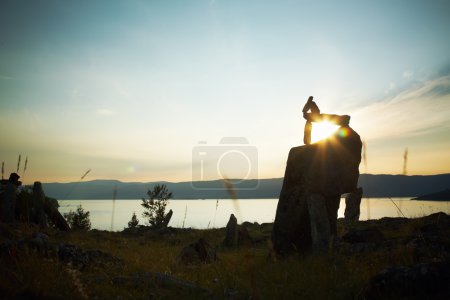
(419, 110)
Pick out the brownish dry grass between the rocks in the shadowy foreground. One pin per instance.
(243, 272)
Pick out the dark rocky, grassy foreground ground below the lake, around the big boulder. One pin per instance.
(378, 259)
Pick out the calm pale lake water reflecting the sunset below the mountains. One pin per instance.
(203, 213)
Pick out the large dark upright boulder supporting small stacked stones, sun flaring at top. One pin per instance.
(324, 170)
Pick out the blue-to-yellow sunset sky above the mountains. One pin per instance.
(128, 89)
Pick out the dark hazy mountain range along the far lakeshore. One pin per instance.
(373, 185)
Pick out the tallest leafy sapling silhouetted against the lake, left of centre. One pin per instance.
(155, 206)
